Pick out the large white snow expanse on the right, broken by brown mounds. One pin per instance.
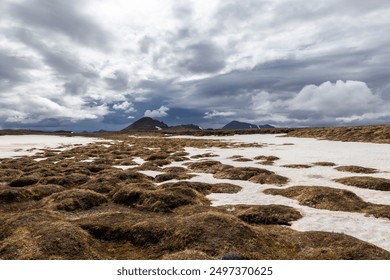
(308, 151)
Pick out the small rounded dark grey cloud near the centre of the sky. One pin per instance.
(203, 57)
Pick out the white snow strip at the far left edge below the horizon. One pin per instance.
(24, 145)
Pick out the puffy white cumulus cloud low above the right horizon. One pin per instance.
(340, 99)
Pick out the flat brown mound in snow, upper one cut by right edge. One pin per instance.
(366, 182)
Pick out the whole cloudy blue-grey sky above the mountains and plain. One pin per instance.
(100, 64)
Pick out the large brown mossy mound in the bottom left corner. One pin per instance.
(41, 234)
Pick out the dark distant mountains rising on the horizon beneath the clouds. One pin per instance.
(149, 124)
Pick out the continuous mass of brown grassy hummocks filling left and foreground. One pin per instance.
(89, 210)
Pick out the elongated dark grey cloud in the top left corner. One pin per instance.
(61, 17)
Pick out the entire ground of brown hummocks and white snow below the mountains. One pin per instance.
(156, 196)
